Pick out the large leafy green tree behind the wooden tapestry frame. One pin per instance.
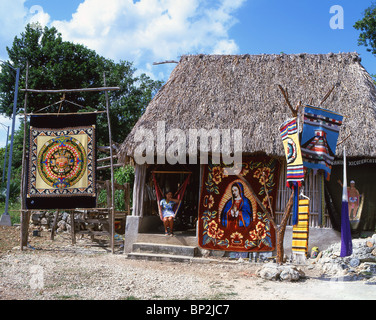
(58, 64)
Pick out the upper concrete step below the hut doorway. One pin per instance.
(170, 249)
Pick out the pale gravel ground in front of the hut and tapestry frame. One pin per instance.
(56, 270)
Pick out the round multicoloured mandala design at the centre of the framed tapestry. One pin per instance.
(62, 162)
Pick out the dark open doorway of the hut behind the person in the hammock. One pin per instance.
(170, 178)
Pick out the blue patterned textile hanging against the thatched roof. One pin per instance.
(319, 138)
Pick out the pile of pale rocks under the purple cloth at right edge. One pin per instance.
(361, 265)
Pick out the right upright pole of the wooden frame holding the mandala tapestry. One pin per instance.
(112, 209)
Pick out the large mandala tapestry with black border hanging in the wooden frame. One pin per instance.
(61, 166)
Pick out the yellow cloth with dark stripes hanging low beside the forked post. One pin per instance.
(300, 231)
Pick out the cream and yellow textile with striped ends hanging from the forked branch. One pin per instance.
(290, 139)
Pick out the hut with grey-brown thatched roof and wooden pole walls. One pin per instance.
(242, 92)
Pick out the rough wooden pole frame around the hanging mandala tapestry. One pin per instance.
(25, 213)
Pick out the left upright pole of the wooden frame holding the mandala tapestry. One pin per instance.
(25, 215)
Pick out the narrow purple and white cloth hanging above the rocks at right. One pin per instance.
(346, 240)
